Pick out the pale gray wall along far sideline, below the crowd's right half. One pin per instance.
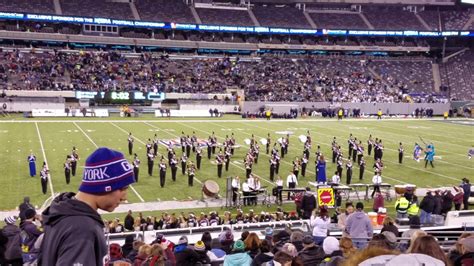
(365, 108)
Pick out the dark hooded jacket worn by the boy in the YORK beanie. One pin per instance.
(74, 233)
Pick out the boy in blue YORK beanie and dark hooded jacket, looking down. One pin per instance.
(105, 181)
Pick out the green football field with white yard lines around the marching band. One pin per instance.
(52, 139)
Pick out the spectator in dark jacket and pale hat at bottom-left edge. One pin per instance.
(10, 254)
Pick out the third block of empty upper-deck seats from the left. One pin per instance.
(164, 11)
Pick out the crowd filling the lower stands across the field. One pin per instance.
(272, 78)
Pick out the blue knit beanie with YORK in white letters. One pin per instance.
(106, 170)
